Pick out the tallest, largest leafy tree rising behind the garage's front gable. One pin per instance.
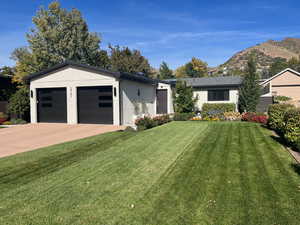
(58, 35)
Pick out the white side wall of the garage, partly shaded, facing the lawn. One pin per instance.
(133, 105)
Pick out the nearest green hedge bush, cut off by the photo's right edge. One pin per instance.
(292, 127)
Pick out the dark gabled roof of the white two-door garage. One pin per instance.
(118, 75)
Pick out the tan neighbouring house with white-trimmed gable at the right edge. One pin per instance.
(285, 83)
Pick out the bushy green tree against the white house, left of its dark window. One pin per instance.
(184, 100)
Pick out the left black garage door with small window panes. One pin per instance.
(52, 105)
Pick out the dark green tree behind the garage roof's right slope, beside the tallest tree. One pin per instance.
(130, 61)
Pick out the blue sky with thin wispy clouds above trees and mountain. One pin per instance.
(171, 31)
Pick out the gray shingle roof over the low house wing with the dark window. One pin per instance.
(211, 81)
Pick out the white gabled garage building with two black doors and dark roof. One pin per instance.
(75, 93)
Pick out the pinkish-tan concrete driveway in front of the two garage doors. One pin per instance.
(28, 137)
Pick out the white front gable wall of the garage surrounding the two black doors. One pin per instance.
(71, 78)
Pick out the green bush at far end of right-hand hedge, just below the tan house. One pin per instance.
(276, 115)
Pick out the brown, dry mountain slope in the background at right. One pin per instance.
(265, 54)
